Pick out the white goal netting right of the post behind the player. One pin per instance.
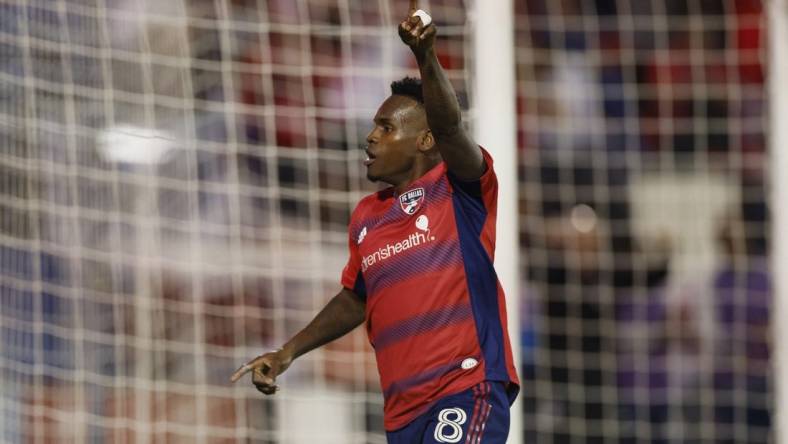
(642, 129)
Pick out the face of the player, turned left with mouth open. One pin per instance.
(392, 144)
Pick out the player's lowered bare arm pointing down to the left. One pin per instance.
(342, 314)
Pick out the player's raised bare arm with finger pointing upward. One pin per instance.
(461, 154)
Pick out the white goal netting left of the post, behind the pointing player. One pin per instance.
(175, 182)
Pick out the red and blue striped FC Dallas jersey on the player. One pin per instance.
(435, 311)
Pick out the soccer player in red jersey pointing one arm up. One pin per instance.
(421, 270)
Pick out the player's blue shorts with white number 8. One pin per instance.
(477, 415)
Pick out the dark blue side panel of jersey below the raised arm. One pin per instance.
(470, 215)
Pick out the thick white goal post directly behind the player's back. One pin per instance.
(494, 98)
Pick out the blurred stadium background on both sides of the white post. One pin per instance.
(176, 178)
